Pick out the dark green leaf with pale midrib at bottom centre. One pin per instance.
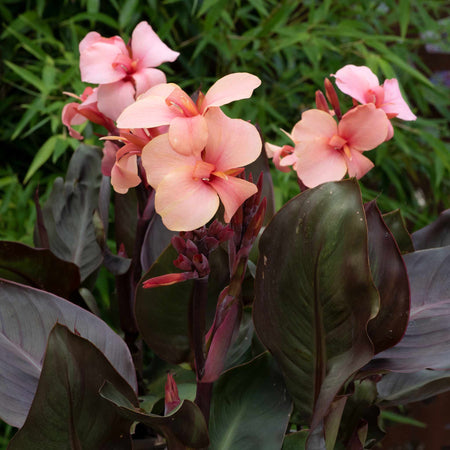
(250, 407)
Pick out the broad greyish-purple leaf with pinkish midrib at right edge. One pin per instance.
(426, 344)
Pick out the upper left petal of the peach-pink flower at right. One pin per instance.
(314, 124)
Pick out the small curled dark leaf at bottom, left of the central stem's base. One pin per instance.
(183, 427)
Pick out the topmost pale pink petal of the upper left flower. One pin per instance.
(148, 49)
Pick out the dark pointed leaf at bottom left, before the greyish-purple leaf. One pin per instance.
(67, 410)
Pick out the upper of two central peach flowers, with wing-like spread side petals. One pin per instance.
(168, 104)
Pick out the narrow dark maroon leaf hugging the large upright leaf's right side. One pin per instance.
(390, 278)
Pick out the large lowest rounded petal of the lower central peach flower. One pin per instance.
(183, 203)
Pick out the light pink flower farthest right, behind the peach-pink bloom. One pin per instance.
(362, 84)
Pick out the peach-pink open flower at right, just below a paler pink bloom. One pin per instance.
(325, 150)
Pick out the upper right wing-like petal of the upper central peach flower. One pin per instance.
(235, 86)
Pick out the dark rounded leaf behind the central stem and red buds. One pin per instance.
(162, 312)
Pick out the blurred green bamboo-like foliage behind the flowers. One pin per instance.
(290, 45)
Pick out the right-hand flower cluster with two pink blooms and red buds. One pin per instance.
(325, 150)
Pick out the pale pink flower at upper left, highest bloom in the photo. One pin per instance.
(123, 71)
